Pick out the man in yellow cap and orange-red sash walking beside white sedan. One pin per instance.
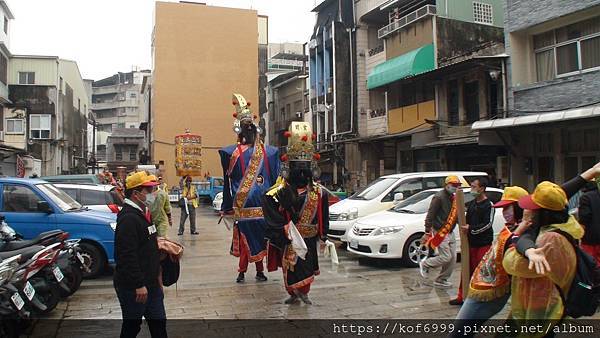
(439, 226)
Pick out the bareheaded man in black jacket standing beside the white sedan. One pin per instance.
(480, 216)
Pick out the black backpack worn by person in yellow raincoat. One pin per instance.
(583, 297)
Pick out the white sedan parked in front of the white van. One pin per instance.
(396, 233)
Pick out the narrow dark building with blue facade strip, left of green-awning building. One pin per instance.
(332, 60)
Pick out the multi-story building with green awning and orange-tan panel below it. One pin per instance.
(423, 71)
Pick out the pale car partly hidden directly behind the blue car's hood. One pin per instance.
(98, 197)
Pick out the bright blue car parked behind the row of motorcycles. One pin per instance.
(33, 206)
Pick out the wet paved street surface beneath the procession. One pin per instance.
(354, 289)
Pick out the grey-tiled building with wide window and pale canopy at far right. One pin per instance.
(551, 128)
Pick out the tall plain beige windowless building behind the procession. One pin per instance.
(201, 55)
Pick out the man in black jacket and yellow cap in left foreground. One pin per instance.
(137, 260)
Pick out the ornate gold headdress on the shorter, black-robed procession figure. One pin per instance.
(300, 148)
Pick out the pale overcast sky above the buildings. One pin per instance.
(107, 36)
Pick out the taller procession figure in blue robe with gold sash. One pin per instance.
(249, 169)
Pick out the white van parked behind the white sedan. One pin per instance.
(381, 195)
